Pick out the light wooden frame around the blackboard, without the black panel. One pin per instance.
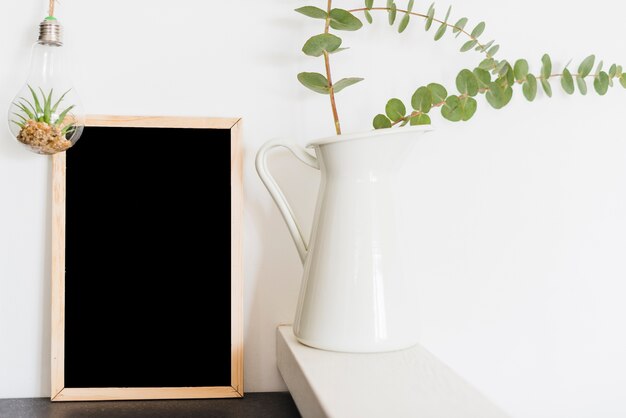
(59, 392)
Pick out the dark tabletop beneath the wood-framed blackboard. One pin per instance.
(255, 405)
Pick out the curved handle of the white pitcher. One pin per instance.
(277, 194)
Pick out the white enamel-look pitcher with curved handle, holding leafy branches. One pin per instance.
(356, 294)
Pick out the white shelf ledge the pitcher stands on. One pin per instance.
(410, 383)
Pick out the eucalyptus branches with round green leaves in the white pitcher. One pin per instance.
(494, 78)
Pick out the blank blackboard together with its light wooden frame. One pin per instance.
(147, 261)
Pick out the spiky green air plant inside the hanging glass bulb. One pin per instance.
(42, 109)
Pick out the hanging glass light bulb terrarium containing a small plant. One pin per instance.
(46, 115)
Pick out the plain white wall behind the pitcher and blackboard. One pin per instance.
(519, 215)
